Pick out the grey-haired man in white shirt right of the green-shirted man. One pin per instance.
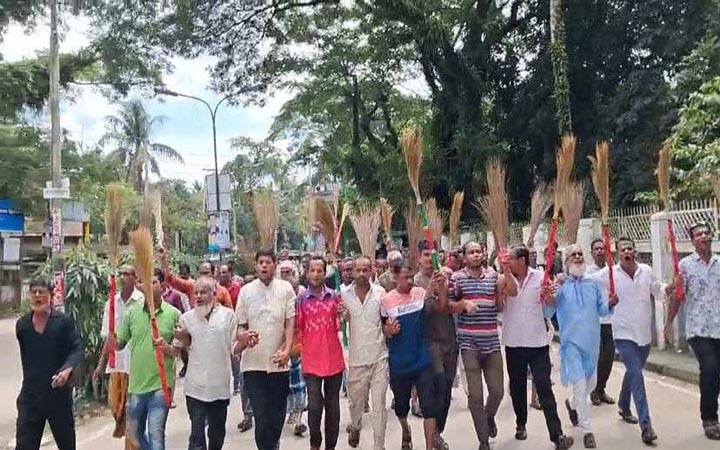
(207, 332)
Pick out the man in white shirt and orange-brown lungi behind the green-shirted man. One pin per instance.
(120, 373)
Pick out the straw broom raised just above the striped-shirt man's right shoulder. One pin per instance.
(494, 206)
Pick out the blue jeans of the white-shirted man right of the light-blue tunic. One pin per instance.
(634, 357)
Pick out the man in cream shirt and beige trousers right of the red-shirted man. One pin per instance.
(367, 359)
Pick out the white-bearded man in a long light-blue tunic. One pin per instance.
(579, 304)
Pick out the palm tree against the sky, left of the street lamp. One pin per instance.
(131, 131)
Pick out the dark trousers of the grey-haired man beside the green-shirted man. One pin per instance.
(212, 414)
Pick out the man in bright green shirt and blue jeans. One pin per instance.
(147, 411)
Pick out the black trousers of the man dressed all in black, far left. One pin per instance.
(34, 409)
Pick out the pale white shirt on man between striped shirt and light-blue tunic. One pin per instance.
(523, 316)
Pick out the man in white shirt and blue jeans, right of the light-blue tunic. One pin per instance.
(632, 330)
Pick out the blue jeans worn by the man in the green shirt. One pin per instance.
(146, 419)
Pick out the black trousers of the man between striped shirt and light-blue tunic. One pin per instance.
(538, 359)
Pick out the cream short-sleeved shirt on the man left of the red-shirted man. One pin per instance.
(265, 309)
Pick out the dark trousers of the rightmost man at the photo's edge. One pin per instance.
(707, 352)
